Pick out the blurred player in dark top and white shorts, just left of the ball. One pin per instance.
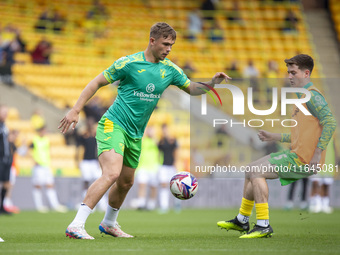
(168, 146)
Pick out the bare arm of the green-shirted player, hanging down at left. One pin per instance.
(72, 116)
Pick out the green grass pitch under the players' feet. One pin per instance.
(191, 231)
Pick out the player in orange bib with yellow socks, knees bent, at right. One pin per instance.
(309, 140)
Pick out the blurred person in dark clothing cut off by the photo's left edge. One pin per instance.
(6, 158)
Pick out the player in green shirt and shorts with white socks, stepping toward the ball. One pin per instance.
(143, 78)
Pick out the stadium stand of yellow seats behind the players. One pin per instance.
(80, 52)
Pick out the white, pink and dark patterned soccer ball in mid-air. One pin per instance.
(183, 185)
